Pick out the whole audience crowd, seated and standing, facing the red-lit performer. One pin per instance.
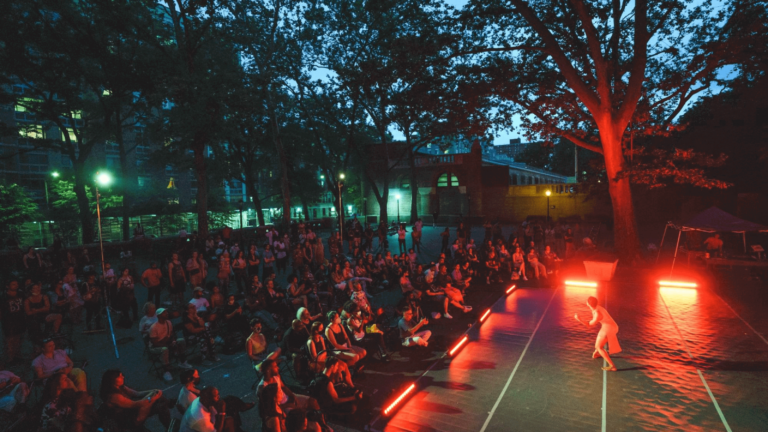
(323, 322)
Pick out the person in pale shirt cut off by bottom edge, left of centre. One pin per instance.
(207, 413)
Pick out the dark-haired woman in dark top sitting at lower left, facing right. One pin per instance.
(131, 407)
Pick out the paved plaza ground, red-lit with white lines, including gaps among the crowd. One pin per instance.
(691, 360)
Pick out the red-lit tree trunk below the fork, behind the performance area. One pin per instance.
(626, 239)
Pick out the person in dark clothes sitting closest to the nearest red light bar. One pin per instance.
(334, 398)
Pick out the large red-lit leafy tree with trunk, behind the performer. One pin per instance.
(591, 71)
